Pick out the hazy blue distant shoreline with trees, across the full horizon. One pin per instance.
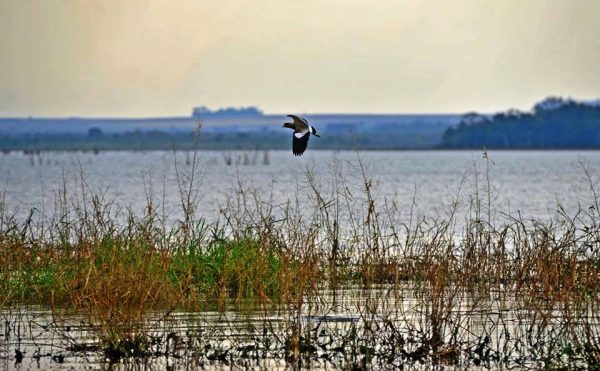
(553, 123)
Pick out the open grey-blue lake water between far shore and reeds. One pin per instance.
(532, 183)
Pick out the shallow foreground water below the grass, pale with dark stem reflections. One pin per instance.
(389, 326)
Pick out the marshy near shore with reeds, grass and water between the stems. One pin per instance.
(347, 285)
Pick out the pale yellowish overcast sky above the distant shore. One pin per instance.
(139, 58)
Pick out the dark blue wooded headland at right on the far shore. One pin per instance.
(554, 123)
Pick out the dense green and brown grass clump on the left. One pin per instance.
(118, 272)
